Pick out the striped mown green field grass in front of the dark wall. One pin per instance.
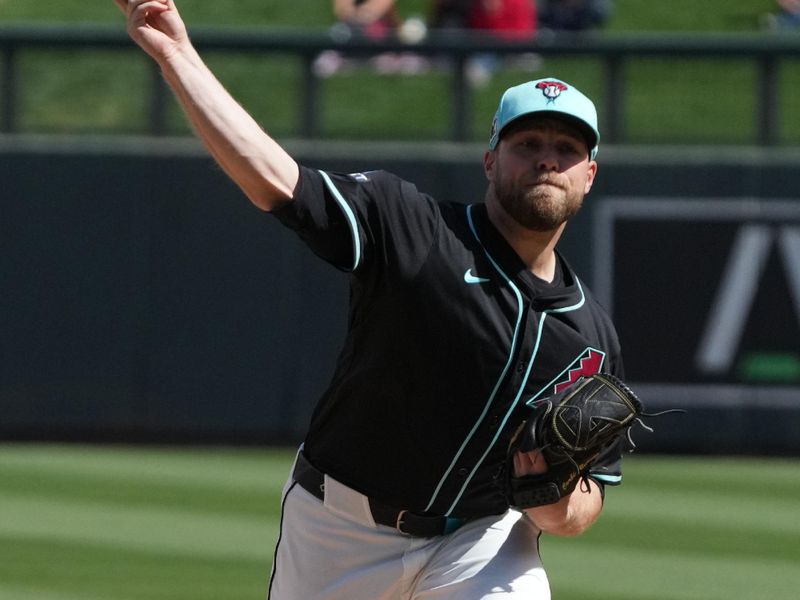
(113, 523)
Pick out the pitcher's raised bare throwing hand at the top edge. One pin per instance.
(155, 25)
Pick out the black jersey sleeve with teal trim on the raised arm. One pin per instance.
(362, 222)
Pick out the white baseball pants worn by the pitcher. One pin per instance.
(333, 550)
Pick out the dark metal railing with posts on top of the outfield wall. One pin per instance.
(767, 51)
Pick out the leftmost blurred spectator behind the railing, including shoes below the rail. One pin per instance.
(376, 20)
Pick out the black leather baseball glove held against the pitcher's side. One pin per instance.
(571, 428)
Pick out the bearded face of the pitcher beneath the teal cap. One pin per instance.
(540, 172)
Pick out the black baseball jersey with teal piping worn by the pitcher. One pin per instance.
(450, 340)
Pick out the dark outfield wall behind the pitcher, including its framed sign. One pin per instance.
(145, 299)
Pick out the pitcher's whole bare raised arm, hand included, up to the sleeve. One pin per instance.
(258, 165)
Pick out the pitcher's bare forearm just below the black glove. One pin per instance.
(573, 514)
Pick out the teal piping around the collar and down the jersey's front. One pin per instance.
(534, 354)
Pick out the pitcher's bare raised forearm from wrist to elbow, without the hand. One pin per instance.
(259, 166)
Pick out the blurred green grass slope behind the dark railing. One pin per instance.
(680, 101)
